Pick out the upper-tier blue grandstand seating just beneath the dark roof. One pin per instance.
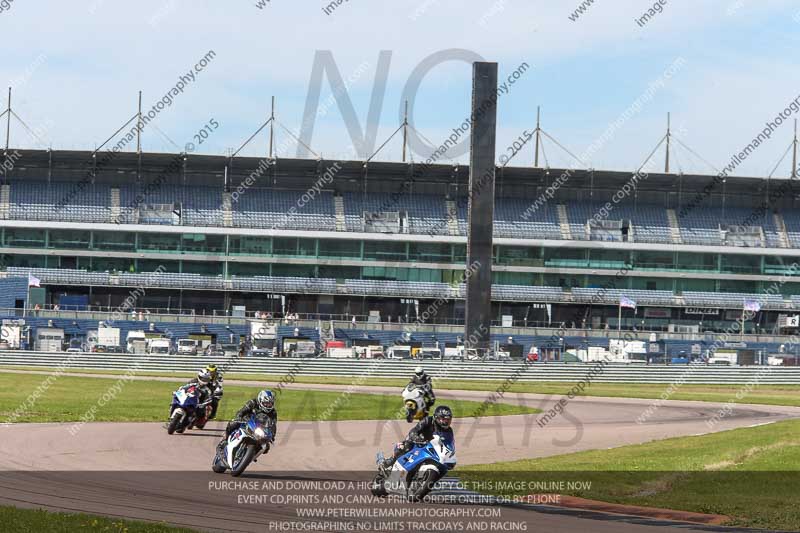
(270, 208)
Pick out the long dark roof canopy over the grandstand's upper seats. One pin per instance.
(353, 176)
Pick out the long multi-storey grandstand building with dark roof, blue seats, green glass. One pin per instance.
(344, 238)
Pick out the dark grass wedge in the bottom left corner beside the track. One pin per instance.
(36, 520)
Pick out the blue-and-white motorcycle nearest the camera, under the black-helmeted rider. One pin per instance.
(414, 474)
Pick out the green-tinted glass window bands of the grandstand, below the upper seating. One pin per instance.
(588, 267)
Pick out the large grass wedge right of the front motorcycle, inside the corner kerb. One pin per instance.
(749, 474)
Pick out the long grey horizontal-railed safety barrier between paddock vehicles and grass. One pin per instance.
(450, 369)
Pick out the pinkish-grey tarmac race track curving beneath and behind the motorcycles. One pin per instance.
(46, 466)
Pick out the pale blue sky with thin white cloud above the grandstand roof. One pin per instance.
(76, 68)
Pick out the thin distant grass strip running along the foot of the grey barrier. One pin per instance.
(764, 394)
